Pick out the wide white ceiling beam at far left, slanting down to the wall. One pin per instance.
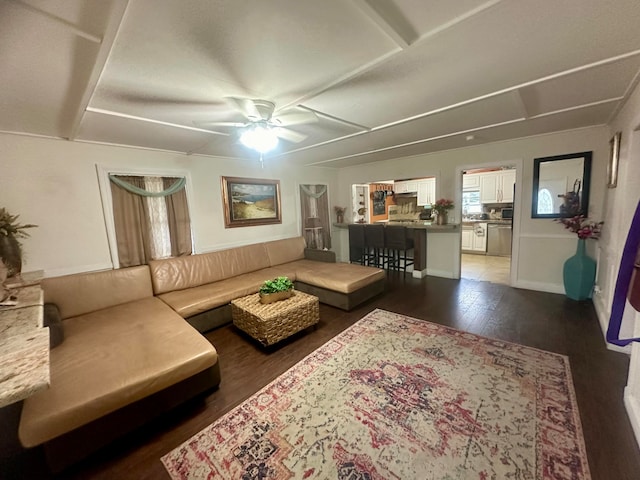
(111, 32)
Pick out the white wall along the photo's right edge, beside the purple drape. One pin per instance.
(620, 204)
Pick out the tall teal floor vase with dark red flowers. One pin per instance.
(579, 271)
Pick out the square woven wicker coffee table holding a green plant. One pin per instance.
(269, 323)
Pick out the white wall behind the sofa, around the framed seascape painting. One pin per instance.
(54, 184)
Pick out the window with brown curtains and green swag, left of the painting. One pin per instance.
(147, 217)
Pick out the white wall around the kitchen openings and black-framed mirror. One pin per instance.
(543, 245)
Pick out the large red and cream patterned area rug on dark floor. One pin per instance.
(394, 397)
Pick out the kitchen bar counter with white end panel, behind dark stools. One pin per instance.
(436, 247)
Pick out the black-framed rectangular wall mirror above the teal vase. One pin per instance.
(561, 185)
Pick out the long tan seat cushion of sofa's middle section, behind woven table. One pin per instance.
(193, 301)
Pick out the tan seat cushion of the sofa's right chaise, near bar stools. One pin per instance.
(340, 277)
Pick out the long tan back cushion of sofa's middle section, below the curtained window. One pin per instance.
(194, 270)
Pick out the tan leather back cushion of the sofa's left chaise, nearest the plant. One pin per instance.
(87, 292)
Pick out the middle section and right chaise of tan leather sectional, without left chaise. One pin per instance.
(200, 287)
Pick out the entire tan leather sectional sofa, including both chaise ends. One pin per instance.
(129, 354)
